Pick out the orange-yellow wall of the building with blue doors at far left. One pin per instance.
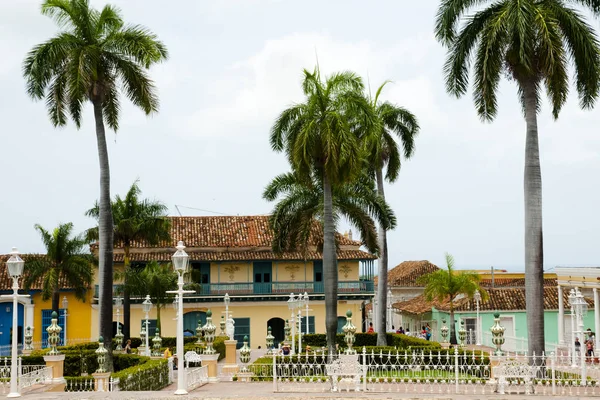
(79, 316)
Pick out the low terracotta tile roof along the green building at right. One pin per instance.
(505, 299)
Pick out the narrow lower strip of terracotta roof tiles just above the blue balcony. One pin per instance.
(243, 256)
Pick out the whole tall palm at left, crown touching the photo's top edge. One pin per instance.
(94, 58)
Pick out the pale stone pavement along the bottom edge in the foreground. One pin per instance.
(262, 391)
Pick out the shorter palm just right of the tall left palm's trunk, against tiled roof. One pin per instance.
(135, 220)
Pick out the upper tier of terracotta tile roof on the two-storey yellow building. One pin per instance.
(226, 231)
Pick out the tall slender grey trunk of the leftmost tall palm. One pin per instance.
(105, 228)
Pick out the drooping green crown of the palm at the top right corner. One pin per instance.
(530, 41)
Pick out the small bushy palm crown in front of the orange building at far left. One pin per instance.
(66, 265)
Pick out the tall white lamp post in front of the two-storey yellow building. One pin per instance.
(180, 262)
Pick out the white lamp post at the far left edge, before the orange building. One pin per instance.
(15, 269)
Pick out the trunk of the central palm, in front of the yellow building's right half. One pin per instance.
(330, 273)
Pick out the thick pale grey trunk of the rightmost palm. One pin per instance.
(534, 251)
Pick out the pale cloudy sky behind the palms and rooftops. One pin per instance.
(234, 66)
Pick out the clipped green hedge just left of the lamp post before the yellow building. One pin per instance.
(149, 376)
